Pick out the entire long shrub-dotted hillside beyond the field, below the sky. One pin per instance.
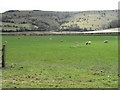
(36, 20)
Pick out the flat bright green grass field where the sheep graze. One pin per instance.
(61, 62)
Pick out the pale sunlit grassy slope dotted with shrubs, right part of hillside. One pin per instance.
(95, 21)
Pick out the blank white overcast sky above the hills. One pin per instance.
(58, 5)
